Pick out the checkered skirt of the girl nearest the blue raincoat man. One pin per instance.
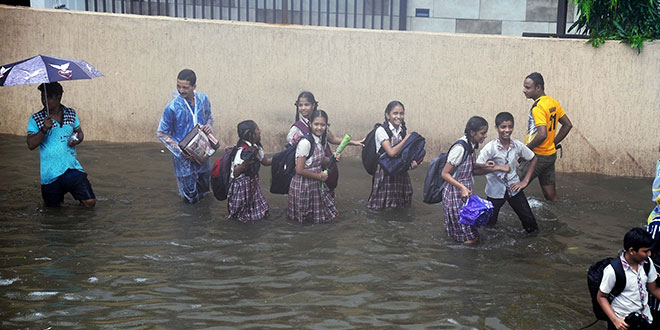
(245, 201)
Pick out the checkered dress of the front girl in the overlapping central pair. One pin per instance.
(306, 201)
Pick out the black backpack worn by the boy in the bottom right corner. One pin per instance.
(595, 276)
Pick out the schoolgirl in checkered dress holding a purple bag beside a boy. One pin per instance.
(457, 174)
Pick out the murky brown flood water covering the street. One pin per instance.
(142, 259)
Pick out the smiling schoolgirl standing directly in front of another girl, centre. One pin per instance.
(309, 197)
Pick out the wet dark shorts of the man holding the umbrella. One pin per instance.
(72, 181)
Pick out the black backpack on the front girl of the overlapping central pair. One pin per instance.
(283, 167)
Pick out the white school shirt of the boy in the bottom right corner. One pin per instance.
(629, 300)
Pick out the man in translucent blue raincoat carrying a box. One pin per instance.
(179, 117)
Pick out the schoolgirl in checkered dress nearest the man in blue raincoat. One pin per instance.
(245, 201)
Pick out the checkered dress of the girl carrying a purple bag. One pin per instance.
(452, 204)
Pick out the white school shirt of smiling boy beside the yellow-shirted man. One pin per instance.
(496, 182)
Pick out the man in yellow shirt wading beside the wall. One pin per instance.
(542, 134)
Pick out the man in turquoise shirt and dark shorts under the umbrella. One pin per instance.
(56, 131)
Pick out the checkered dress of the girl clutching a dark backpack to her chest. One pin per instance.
(390, 191)
